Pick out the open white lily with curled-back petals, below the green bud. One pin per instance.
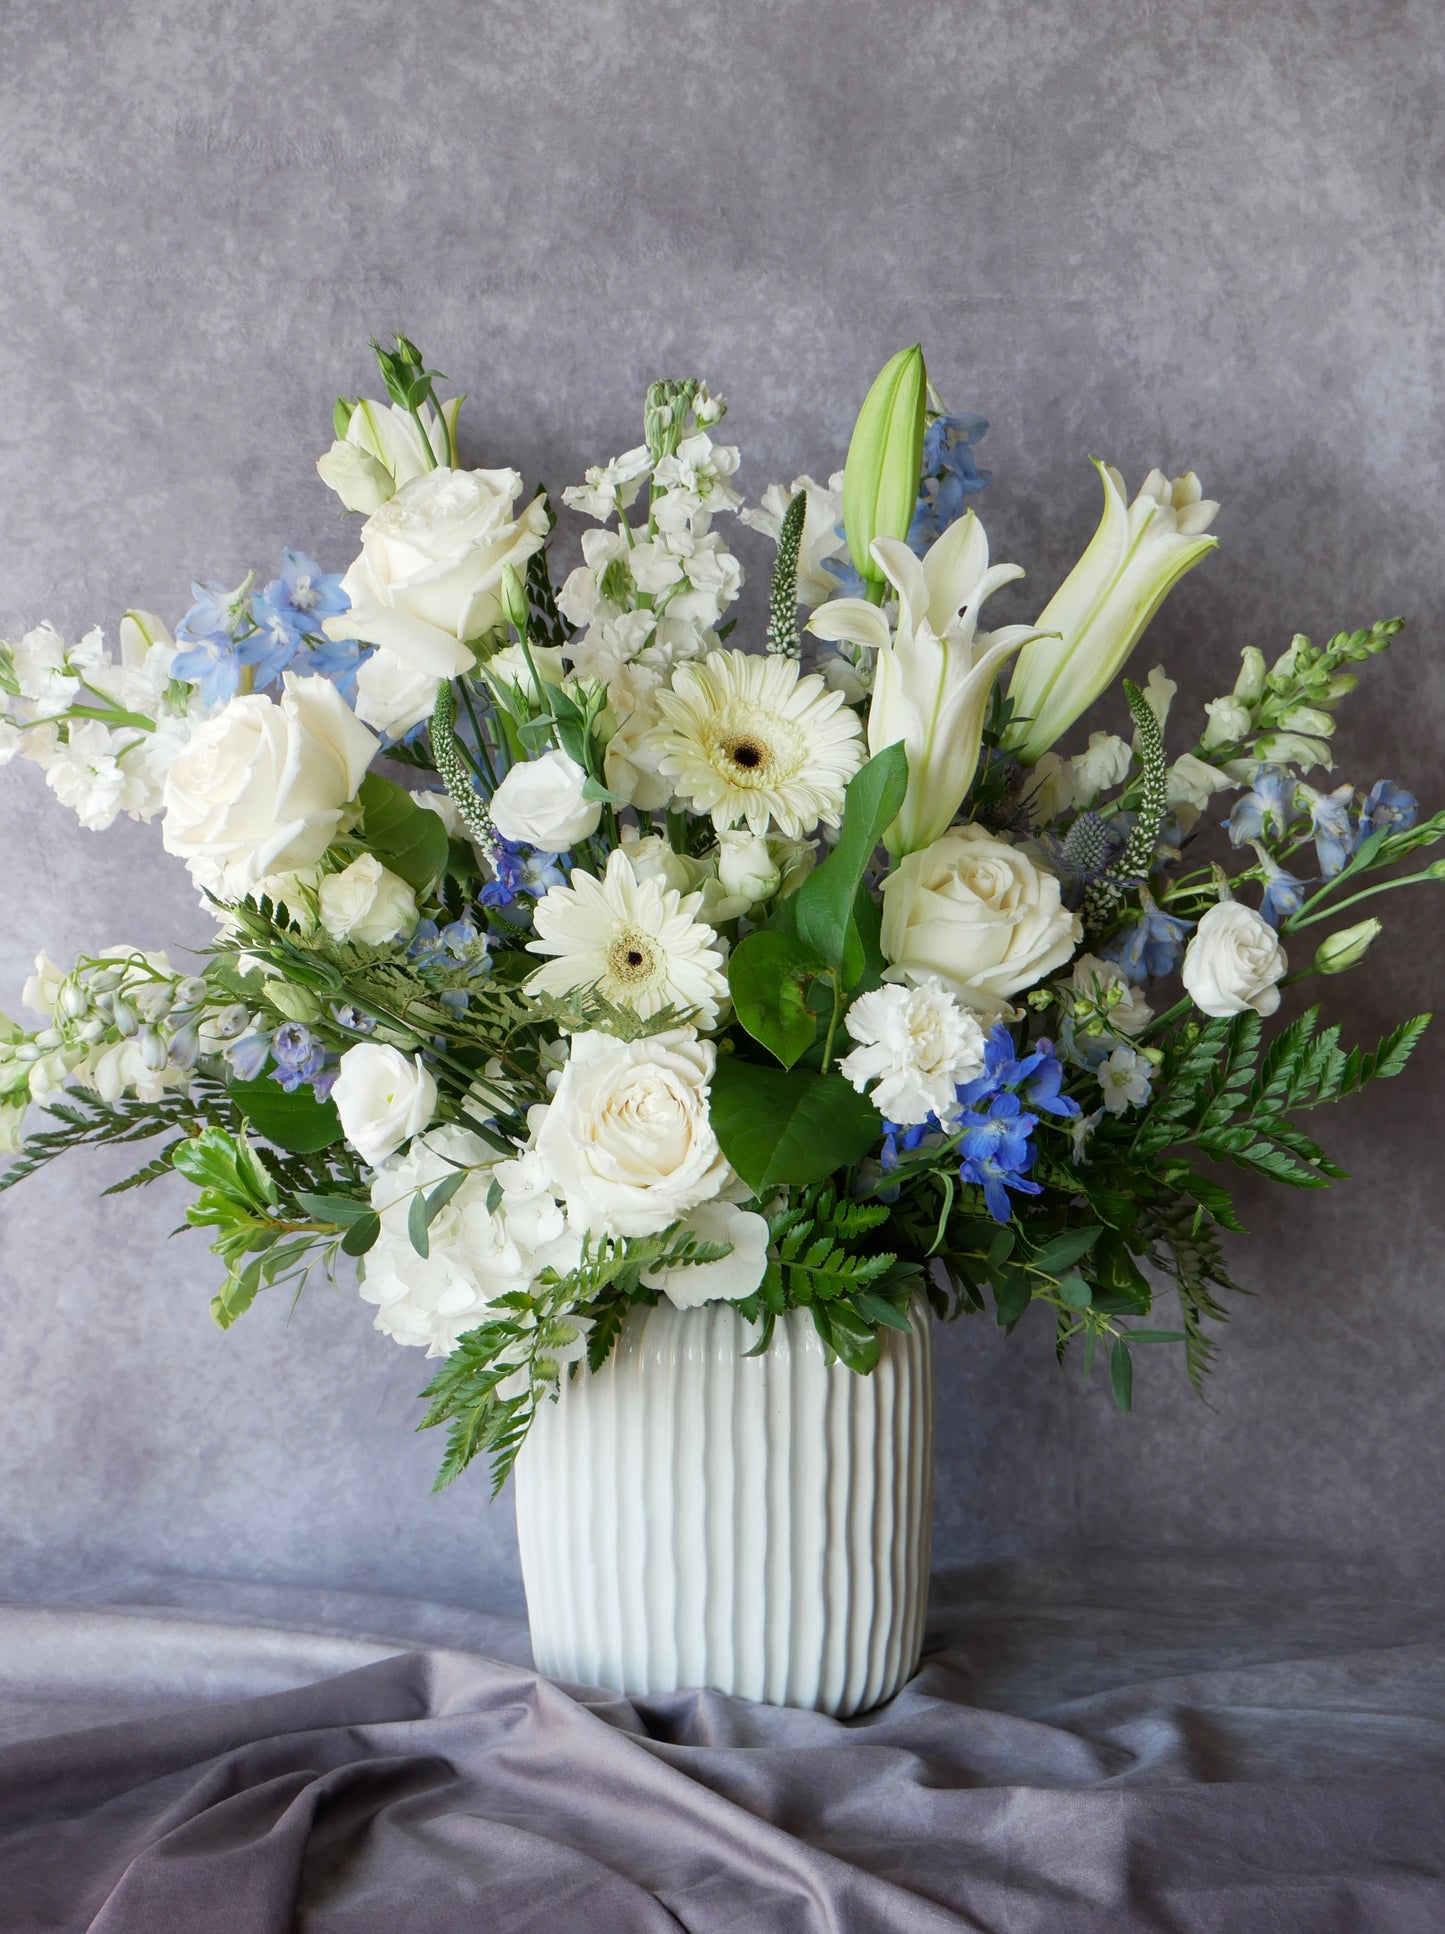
(933, 672)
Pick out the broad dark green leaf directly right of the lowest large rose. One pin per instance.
(788, 1125)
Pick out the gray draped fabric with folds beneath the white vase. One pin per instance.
(1086, 1751)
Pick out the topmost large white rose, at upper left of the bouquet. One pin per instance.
(430, 570)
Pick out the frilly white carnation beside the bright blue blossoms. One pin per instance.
(916, 1045)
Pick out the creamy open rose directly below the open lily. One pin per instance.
(978, 914)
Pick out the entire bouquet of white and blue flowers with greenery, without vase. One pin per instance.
(570, 954)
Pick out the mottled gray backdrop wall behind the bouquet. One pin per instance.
(1202, 235)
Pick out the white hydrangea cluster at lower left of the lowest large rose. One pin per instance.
(475, 1254)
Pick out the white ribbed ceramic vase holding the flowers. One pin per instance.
(695, 1517)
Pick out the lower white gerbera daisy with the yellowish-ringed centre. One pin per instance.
(637, 943)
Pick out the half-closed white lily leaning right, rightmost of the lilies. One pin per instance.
(1102, 608)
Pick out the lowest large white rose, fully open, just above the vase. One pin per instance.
(628, 1138)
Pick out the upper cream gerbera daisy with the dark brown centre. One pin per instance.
(746, 738)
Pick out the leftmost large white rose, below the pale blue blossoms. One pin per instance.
(264, 788)
